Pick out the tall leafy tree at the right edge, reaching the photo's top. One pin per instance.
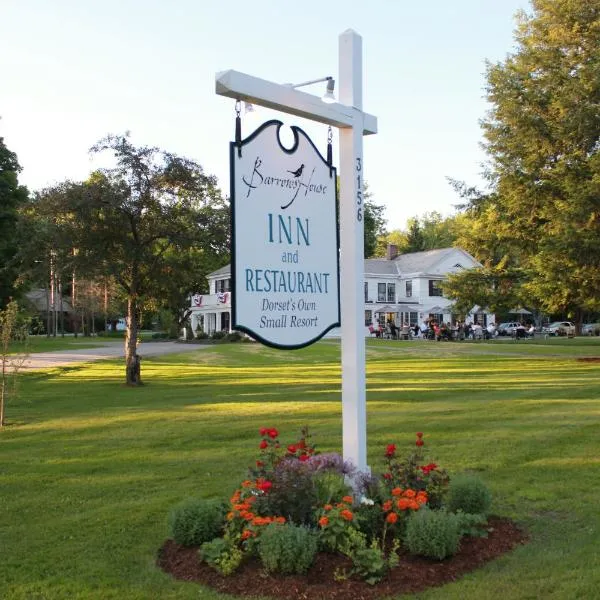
(542, 133)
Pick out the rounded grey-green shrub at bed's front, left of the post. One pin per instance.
(287, 548)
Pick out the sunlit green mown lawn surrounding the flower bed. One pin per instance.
(89, 468)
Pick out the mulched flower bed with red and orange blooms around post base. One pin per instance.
(296, 518)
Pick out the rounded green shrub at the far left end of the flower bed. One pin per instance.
(196, 520)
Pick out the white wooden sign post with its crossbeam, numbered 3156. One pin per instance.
(353, 123)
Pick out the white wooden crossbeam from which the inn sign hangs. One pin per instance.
(284, 98)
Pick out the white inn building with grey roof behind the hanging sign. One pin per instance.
(402, 288)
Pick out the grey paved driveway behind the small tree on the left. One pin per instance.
(59, 358)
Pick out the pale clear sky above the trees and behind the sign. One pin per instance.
(73, 71)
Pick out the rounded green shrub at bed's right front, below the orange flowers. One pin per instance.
(432, 533)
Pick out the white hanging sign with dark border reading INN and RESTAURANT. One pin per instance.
(285, 267)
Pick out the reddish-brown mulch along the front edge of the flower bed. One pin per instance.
(413, 574)
